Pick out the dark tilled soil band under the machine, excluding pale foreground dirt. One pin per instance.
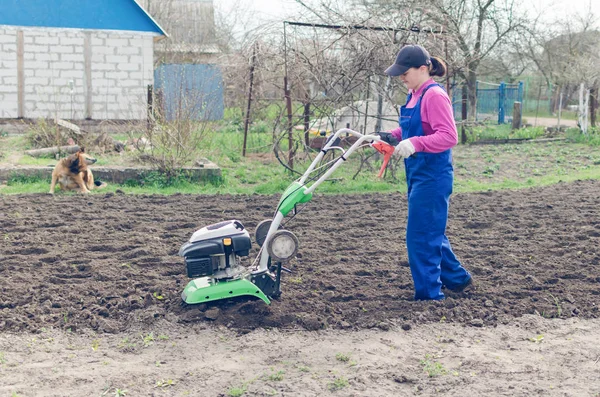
(108, 261)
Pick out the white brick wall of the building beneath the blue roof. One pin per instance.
(54, 60)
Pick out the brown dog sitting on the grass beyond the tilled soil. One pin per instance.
(72, 173)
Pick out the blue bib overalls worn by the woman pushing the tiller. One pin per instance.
(429, 177)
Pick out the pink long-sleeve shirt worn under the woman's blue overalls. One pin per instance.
(437, 119)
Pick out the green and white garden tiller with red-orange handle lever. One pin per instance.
(213, 254)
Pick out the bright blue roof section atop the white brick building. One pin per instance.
(78, 14)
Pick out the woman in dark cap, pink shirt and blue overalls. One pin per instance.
(427, 133)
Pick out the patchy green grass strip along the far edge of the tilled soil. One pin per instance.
(477, 167)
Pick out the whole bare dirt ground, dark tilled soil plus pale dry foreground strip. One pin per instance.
(89, 299)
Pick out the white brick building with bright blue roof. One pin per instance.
(76, 59)
